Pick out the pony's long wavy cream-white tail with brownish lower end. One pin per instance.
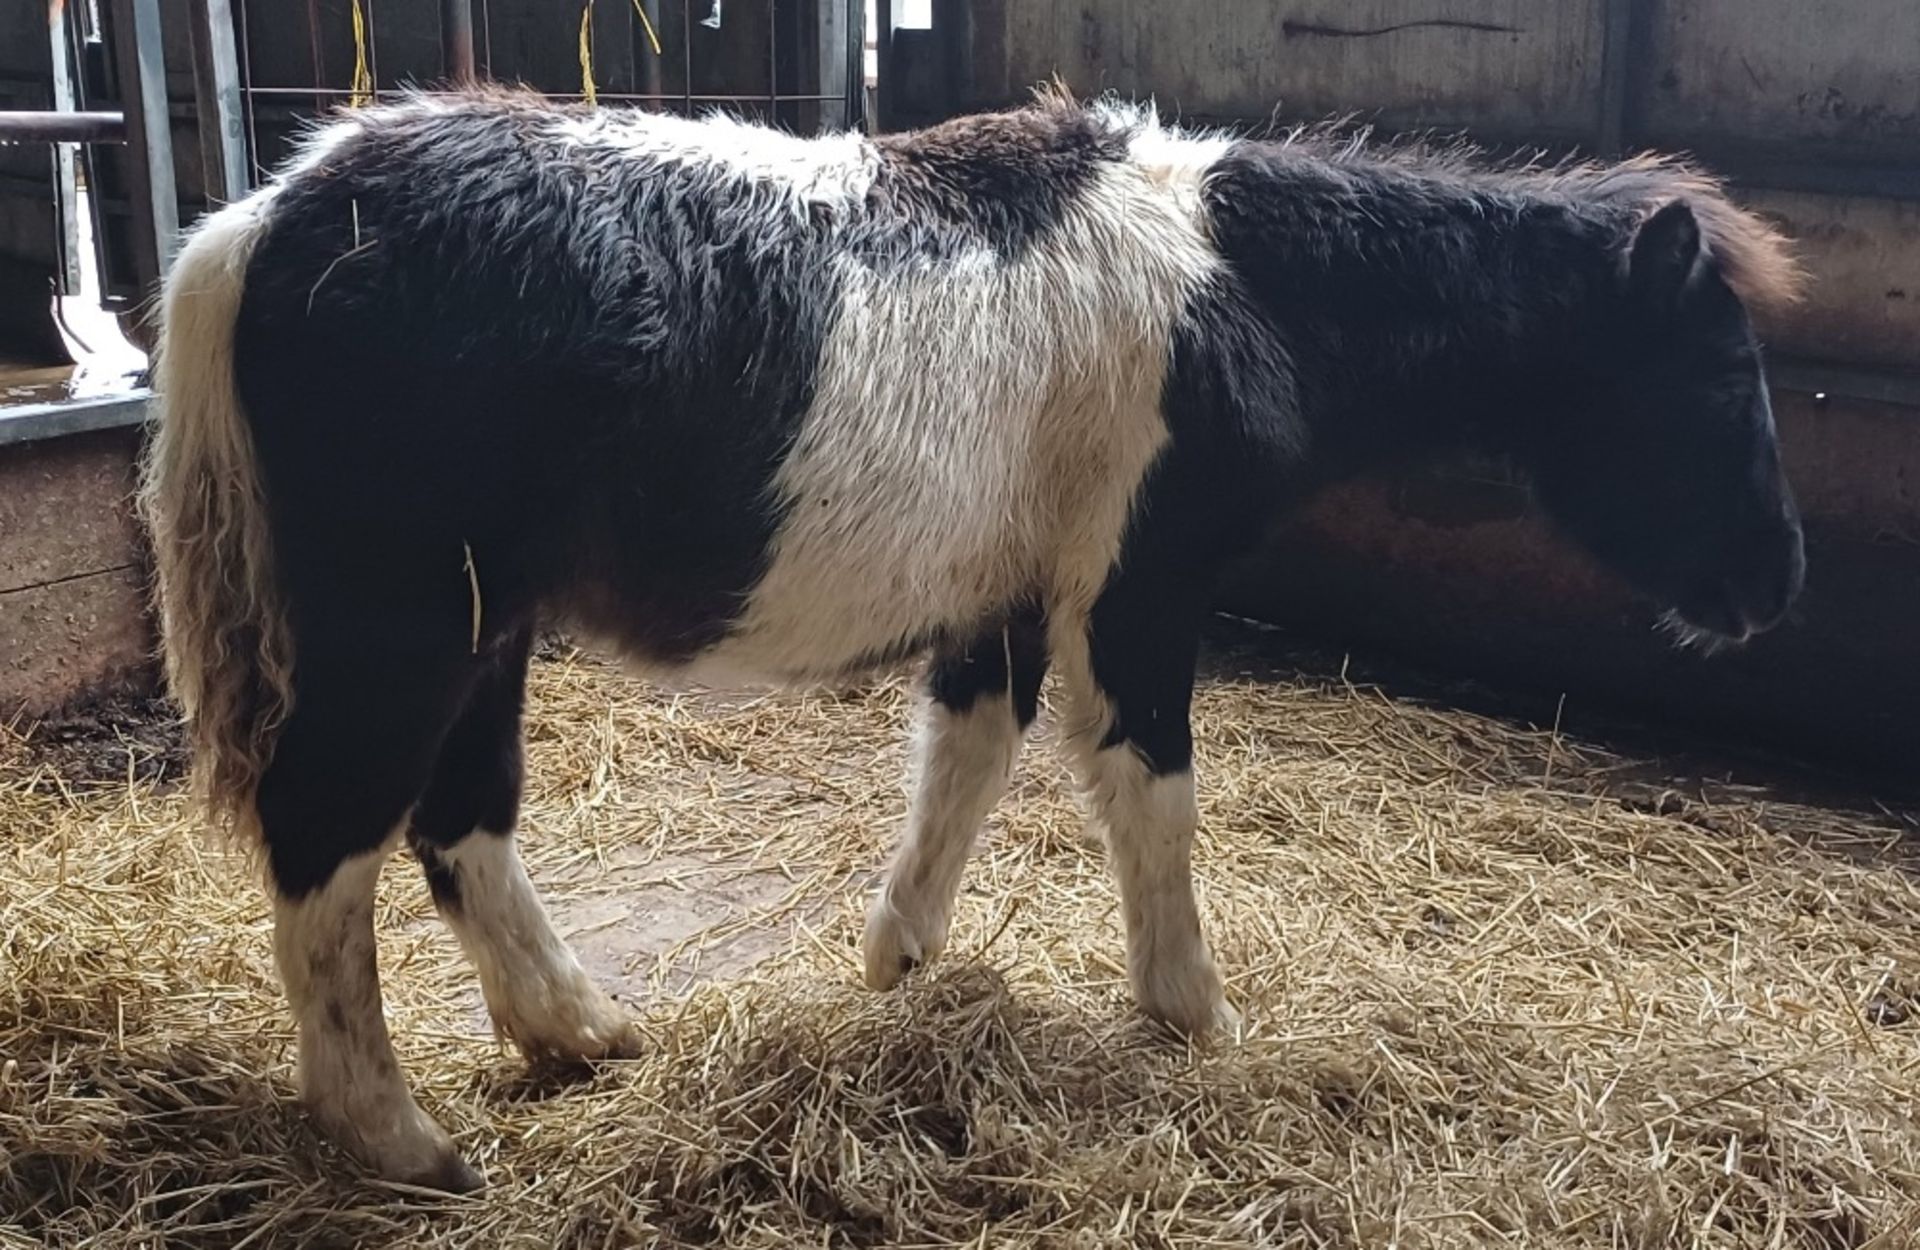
(224, 623)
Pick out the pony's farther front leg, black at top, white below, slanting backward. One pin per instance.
(980, 704)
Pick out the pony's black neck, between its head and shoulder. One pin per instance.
(1426, 312)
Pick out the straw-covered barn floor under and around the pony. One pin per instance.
(1502, 990)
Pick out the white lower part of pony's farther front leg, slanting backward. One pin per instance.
(965, 763)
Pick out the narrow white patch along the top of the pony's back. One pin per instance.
(834, 170)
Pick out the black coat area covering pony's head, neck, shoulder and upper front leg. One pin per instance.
(1383, 310)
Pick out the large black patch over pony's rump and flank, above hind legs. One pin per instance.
(581, 366)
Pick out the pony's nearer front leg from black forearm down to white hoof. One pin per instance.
(1132, 746)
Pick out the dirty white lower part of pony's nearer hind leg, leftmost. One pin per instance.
(348, 1072)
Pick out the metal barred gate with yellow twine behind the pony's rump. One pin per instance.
(187, 103)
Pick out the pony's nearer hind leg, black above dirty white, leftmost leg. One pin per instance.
(331, 805)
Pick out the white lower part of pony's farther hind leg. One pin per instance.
(533, 984)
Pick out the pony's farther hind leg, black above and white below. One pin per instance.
(464, 836)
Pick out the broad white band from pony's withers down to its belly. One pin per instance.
(978, 431)
